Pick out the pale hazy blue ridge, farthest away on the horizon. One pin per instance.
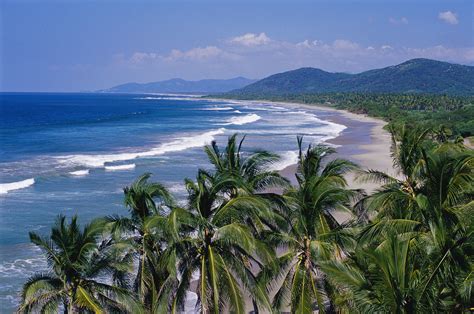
(182, 86)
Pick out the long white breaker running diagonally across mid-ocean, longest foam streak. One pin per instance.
(179, 144)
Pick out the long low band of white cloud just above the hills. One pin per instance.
(256, 56)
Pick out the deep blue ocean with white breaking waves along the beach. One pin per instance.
(73, 154)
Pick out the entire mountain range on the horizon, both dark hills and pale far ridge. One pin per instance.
(422, 76)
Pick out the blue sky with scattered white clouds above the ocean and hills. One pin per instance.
(68, 46)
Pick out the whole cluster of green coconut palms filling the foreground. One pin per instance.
(249, 240)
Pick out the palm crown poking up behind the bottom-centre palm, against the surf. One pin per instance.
(250, 173)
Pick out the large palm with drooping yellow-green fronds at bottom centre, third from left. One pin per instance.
(215, 243)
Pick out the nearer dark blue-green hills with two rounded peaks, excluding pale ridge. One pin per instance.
(413, 76)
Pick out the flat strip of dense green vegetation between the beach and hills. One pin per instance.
(439, 112)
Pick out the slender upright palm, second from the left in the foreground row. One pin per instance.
(143, 237)
